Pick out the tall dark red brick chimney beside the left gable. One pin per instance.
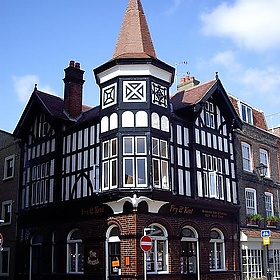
(73, 90)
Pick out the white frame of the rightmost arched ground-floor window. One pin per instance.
(214, 242)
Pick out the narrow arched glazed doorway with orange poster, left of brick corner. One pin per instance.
(113, 251)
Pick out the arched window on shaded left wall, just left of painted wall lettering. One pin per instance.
(75, 252)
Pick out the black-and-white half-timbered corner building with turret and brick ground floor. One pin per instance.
(94, 180)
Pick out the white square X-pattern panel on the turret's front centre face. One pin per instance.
(134, 91)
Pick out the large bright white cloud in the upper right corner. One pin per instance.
(253, 24)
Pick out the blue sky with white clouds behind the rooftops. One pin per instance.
(238, 38)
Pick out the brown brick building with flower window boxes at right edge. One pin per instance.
(259, 197)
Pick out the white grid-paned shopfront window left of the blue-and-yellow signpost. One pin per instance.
(252, 263)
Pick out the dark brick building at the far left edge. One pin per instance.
(9, 170)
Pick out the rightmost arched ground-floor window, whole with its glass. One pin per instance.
(217, 250)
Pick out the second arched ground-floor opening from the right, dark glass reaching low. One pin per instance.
(189, 252)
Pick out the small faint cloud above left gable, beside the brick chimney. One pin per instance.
(24, 86)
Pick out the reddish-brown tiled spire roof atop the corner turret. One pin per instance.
(134, 39)
